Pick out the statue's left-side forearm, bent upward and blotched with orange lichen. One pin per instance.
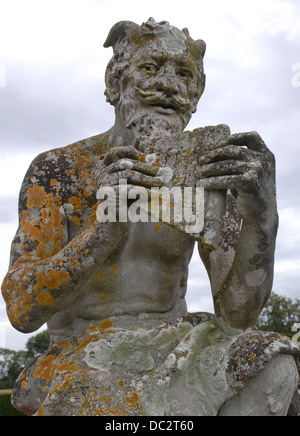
(35, 291)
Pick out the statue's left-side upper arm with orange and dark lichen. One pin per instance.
(42, 231)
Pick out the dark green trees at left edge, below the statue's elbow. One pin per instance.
(13, 362)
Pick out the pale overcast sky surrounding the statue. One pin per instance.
(52, 65)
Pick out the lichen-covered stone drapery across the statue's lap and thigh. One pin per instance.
(175, 369)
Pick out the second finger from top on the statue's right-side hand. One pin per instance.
(230, 152)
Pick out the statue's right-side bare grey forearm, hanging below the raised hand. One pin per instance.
(247, 287)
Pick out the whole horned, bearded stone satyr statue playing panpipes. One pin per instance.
(113, 291)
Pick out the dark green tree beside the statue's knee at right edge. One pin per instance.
(280, 315)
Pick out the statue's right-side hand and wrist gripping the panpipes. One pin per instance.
(244, 164)
